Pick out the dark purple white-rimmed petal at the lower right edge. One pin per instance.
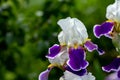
(113, 66)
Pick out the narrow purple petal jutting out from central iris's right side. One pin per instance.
(91, 46)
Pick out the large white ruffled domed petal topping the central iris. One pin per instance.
(74, 30)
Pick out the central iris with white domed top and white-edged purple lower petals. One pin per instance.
(70, 55)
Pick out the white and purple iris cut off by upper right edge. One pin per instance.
(111, 27)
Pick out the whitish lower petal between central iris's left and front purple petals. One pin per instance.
(61, 58)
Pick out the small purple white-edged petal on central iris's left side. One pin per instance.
(53, 51)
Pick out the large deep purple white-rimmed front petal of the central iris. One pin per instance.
(77, 59)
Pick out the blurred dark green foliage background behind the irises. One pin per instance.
(29, 27)
